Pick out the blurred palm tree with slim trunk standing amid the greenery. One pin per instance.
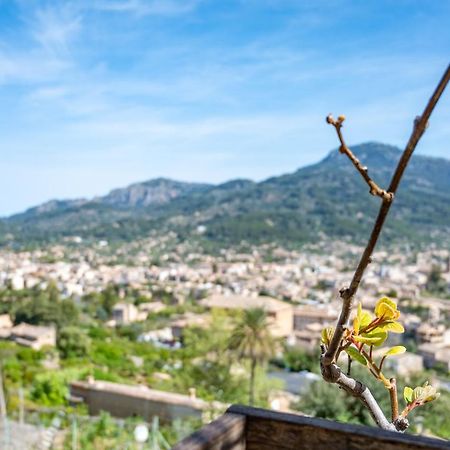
(251, 339)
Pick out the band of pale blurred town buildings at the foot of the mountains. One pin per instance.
(308, 280)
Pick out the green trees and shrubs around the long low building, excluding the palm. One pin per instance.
(85, 347)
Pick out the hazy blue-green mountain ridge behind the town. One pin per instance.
(328, 197)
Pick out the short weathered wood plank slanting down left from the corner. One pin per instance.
(225, 433)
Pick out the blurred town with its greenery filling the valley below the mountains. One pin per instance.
(140, 330)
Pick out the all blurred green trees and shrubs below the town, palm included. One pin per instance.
(206, 361)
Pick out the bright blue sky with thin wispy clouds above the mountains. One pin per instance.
(97, 94)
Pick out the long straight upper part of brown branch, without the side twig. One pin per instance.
(348, 294)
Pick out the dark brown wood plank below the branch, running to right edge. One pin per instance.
(272, 430)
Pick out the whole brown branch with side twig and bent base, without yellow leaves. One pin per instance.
(330, 371)
